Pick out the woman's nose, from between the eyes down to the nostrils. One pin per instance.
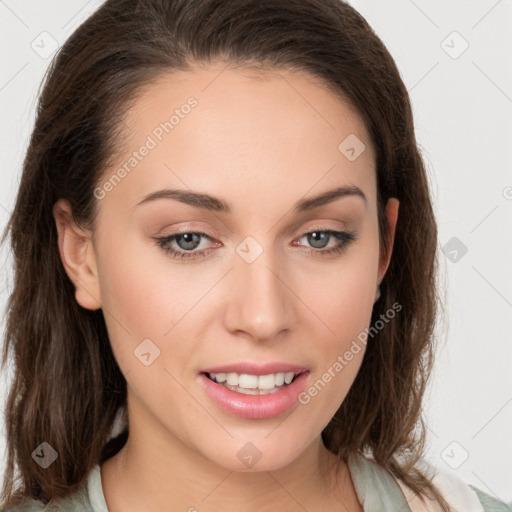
(259, 301)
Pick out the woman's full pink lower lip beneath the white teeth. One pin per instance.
(255, 407)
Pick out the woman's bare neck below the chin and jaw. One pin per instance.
(157, 471)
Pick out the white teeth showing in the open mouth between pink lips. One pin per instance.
(248, 384)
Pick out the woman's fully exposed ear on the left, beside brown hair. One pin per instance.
(78, 256)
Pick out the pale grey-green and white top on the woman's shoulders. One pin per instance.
(376, 488)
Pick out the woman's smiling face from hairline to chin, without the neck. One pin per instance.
(246, 291)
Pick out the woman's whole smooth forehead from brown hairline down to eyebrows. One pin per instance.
(219, 128)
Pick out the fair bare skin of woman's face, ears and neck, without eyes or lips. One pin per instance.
(262, 144)
